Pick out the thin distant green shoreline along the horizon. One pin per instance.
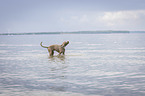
(75, 32)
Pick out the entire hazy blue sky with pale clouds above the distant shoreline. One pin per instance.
(71, 15)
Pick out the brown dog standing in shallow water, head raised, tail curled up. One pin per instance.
(59, 48)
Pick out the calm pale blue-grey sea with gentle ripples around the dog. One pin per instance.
(94, 64)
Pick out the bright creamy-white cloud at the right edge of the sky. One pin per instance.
(125, 19)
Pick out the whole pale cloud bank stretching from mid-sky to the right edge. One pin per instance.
(110, 20)
